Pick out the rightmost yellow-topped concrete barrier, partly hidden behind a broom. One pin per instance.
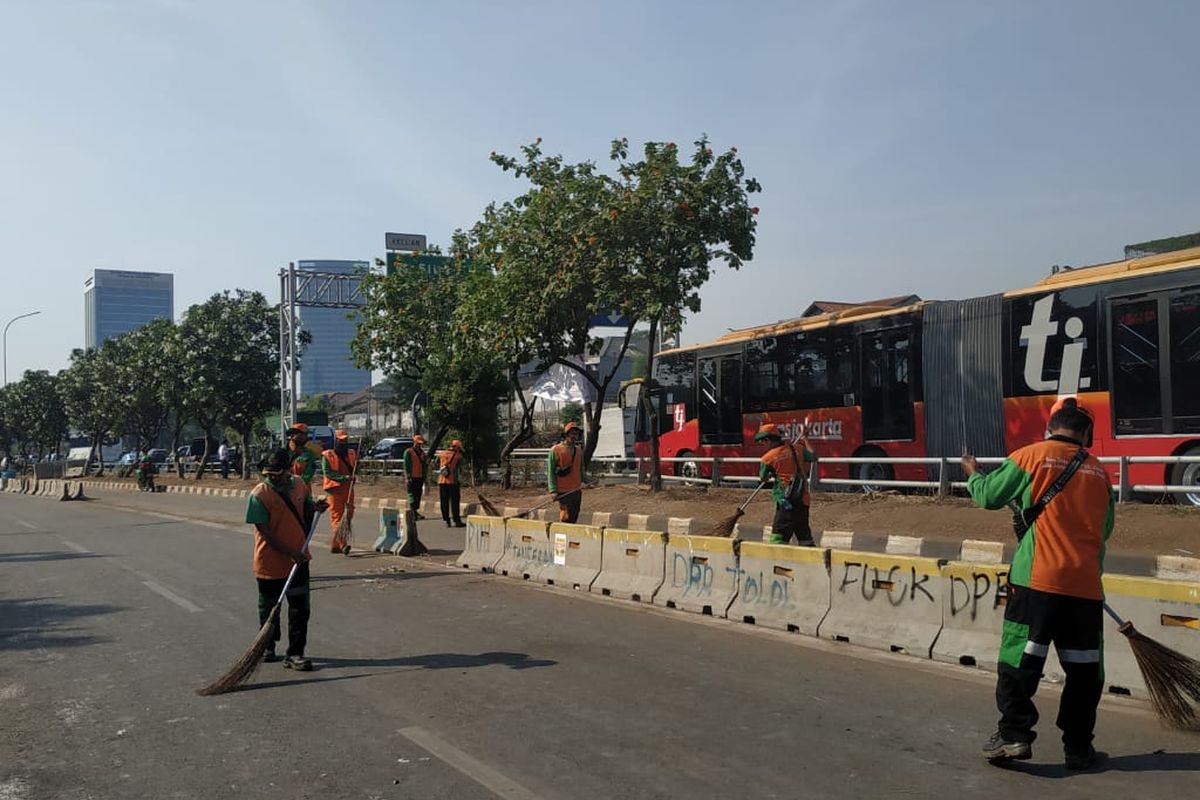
(1166, 611)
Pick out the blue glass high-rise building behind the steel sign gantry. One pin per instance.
(327, 365)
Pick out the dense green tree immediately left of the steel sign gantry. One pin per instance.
(232, 374)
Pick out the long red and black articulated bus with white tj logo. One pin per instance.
(931, 378)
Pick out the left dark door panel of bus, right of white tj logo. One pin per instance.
(1137, 393)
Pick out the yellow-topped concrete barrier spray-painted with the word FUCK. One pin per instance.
(887, 603)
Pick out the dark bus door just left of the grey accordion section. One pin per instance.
(886, 368)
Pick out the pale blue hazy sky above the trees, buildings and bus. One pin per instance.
(946, 149)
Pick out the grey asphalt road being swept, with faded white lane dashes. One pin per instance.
(441, 684)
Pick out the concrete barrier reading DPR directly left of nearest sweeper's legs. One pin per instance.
(974, 601)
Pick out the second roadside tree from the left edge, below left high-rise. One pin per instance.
(91, 399)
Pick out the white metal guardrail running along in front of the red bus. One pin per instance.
(622, 467)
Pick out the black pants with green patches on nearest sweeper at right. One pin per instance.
(1034, 621)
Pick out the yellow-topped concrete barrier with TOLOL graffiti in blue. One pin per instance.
(782, 587)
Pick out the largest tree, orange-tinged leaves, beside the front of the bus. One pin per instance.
(640, 243)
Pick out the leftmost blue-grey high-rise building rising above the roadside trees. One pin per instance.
(117, 302)
